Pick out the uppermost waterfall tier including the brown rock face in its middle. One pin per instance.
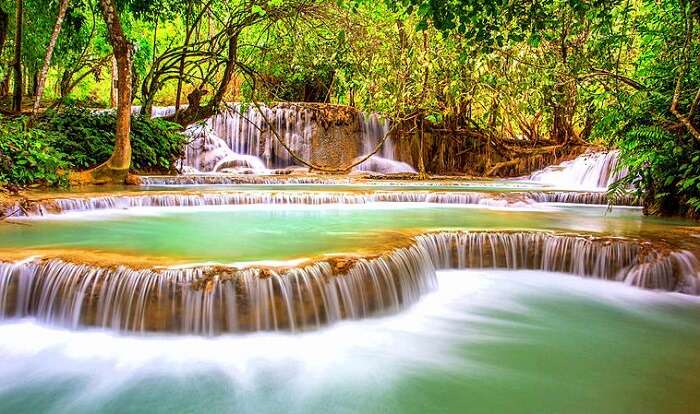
(244, 139)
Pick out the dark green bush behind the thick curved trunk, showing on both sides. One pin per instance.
(87, 137)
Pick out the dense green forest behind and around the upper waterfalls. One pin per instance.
(520, 79)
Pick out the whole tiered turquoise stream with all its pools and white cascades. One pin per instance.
(307, 294)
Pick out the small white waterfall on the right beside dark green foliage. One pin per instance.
(594, 171)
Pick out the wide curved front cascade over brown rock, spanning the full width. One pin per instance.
(212, 300)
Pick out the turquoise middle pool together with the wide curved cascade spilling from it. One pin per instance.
(303, 267)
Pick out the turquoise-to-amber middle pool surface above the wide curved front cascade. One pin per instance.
(269, 232)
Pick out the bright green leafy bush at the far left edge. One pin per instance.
(28, 157)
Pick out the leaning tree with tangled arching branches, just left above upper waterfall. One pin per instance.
(215, 61)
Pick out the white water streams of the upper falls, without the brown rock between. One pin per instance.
(239, 137)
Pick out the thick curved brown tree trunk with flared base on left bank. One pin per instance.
(116, 168)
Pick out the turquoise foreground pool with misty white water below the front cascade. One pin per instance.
(484, 342)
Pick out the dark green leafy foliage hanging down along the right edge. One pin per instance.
(662, 156)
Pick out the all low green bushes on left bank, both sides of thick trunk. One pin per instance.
(78, 139)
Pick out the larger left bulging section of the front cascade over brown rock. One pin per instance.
(213, 300)
